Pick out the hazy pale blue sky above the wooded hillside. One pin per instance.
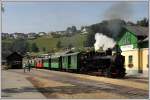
(57, 16)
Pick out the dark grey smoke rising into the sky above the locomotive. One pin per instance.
(116, 14)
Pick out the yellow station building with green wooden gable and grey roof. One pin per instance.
(133, 42)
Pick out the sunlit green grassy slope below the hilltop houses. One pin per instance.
(50, 43)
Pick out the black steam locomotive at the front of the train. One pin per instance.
(104, 62)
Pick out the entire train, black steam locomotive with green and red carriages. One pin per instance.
(106, 63)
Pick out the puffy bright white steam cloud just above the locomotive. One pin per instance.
(103, 41)
